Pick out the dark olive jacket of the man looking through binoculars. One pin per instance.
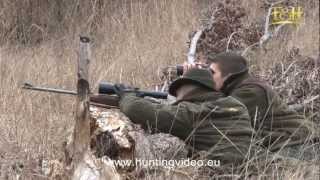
(271, 118)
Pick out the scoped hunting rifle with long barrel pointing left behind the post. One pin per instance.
(106, 96)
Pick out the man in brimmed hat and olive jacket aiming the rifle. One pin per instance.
(205, 119)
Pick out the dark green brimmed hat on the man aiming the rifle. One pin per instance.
(196, 76)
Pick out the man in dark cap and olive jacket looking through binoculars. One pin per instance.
(276, 125)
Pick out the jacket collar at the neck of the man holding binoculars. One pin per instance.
(234, 80)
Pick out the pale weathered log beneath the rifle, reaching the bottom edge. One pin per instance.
(115, 137)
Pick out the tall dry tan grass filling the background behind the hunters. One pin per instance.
(131, 40)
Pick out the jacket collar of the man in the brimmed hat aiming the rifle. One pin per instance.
(209, 96)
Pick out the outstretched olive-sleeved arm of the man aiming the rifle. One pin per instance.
(174, 119)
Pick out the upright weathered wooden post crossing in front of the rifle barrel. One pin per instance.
(81, 136)
